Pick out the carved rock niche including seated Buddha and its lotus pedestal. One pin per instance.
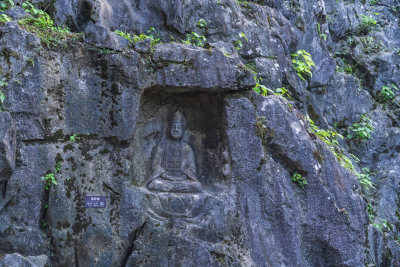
(180, 151)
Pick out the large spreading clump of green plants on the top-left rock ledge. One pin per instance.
(43, 26)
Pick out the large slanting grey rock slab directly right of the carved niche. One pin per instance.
(270, 162)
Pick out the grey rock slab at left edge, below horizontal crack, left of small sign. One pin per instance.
(22, 208)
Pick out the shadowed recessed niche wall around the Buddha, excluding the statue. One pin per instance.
(203, 133)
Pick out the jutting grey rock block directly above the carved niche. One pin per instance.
(194, 68)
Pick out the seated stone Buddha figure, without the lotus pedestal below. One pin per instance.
(173, 167)
